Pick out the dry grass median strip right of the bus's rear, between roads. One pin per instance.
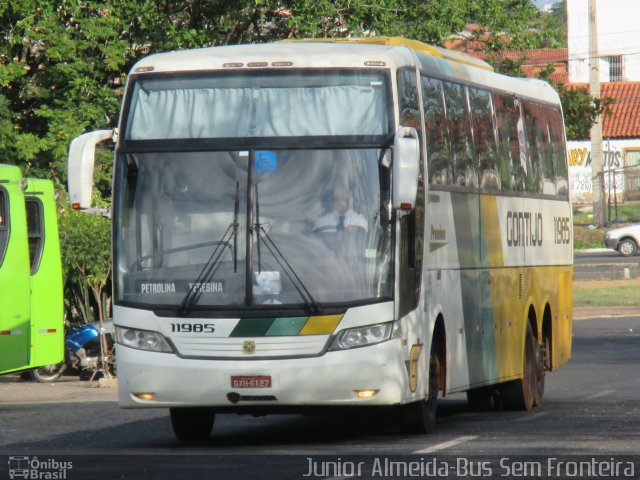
(606, 293)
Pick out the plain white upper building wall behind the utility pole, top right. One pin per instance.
(618, 34)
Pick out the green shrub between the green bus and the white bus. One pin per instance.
(85, 241)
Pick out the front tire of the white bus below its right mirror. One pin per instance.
(420, 417)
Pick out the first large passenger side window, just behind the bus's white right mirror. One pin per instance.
(440, 162)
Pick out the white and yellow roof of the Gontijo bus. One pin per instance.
(374, 52)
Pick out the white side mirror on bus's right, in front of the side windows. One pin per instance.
(406, 168)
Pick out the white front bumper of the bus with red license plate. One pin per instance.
(338, 378)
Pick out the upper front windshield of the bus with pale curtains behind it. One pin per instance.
(267, 104)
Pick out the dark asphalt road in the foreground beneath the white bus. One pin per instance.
(591, 407)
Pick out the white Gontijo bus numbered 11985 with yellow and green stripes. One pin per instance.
(334, 224)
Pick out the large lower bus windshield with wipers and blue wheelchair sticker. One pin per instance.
(259, 227)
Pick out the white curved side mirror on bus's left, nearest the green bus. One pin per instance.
(82, 153)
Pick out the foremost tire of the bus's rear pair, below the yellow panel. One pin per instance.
(520, 394)
